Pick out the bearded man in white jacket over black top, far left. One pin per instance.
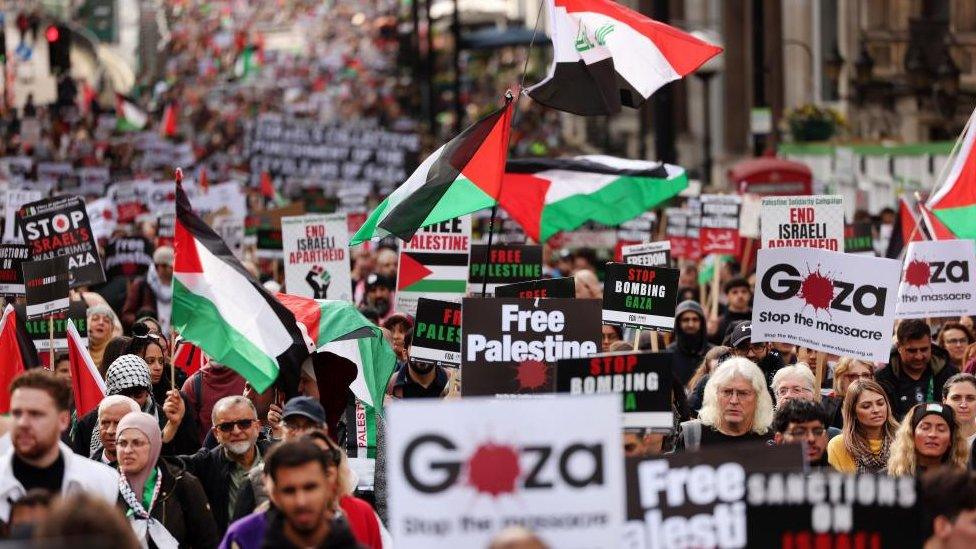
(39, 406)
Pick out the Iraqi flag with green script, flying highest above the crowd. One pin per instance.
(607, 55)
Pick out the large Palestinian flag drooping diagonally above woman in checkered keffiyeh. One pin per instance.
(219, 307)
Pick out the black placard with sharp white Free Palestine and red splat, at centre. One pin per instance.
(510, 345)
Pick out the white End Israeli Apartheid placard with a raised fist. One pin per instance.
(316, 250)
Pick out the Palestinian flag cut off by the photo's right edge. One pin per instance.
(954, 203)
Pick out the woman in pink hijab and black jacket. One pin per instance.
(166, 506)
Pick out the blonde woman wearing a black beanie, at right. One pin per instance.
(927, 439)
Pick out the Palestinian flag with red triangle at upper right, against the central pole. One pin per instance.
(462, 176)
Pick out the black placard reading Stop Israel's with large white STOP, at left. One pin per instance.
(59, 227)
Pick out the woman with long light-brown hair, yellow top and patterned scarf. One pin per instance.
(869, 429)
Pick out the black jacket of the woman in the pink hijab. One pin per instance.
(183, 509)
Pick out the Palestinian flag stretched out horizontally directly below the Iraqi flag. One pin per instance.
(546, 196)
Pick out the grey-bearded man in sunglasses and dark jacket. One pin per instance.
(223, 470)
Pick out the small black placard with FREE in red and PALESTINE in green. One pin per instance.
(509, 263)
